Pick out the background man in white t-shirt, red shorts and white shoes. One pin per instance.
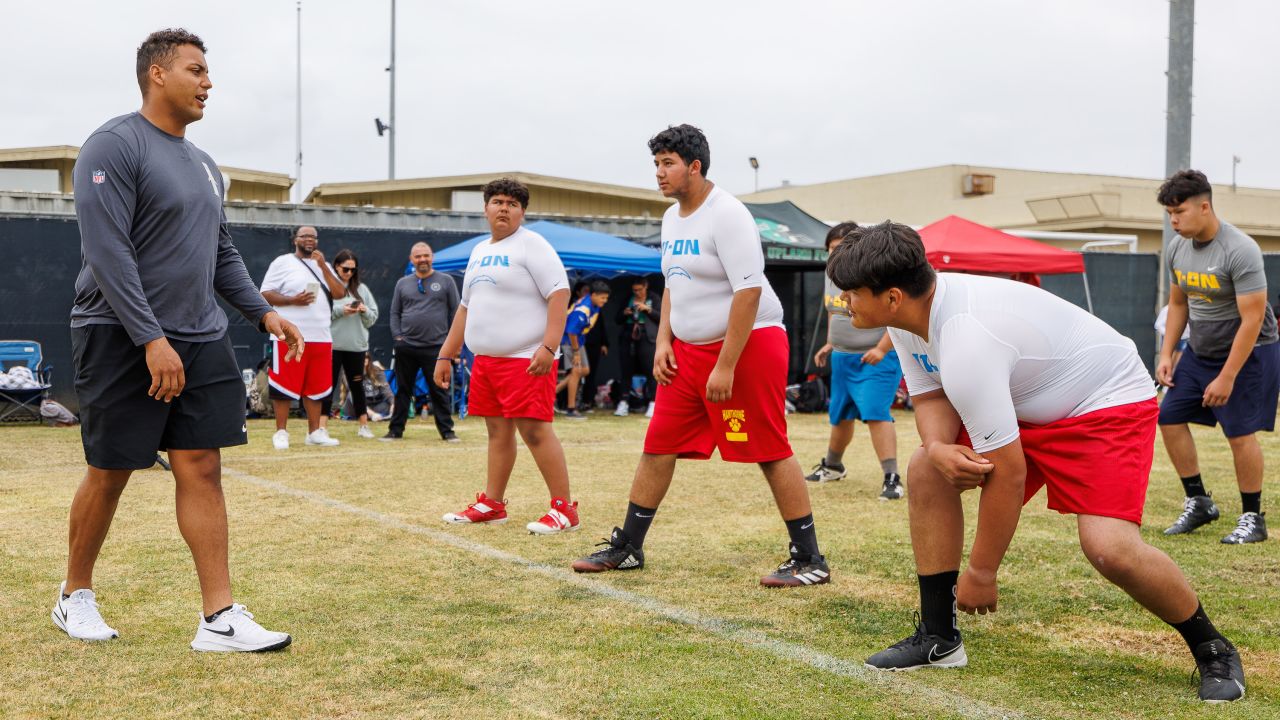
(300, 286)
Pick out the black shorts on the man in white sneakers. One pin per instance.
(124, 429)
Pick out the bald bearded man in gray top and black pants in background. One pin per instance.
(423, 309)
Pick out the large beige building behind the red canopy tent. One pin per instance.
(1025, 200)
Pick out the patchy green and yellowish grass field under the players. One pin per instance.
(397, 616)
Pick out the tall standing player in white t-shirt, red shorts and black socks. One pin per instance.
(721, 363)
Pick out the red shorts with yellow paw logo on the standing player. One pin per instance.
(752, 427)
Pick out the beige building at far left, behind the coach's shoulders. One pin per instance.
(54, 175)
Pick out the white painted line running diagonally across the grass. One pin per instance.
(897, 682)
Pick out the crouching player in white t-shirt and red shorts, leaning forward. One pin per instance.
(1016, 389)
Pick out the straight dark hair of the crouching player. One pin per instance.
(880, 258)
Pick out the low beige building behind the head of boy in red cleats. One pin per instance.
(547, 195)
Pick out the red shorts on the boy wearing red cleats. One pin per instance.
(501, 388)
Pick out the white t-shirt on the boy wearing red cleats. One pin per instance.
(505, 291)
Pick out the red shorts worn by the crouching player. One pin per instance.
(1094, 464)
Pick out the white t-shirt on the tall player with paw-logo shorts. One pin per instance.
(706, 259)
